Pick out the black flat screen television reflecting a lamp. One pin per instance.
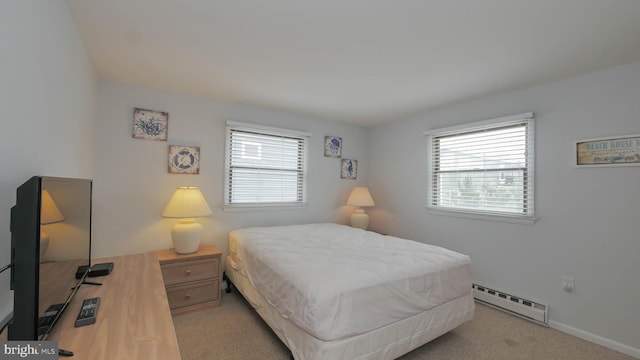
(50, 251)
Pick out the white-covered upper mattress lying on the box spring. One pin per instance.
(335, 281)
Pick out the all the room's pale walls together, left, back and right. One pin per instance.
(588, 225)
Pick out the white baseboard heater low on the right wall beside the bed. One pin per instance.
(515, 305)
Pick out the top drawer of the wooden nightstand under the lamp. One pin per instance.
(181, 272)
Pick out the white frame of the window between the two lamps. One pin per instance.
(267, 131)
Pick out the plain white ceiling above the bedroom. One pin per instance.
(364, 62)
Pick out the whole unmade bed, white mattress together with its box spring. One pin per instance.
(330, 291)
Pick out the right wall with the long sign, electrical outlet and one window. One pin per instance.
(588, 227)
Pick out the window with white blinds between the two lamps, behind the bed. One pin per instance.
(265, 166)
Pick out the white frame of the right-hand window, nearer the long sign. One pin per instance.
(528, 214)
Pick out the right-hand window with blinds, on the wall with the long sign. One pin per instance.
(483, 168)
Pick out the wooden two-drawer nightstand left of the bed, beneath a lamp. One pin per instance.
(192, 281)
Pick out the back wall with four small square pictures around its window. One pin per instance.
(133, 186)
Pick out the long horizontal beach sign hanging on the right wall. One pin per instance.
(610, 151)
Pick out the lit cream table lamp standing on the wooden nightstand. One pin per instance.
(186, 204)
